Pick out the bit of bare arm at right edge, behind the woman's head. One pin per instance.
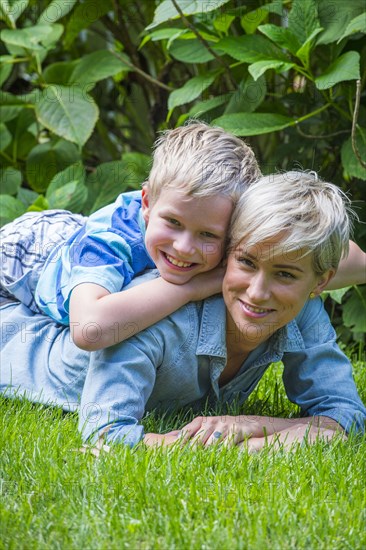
(351, 270)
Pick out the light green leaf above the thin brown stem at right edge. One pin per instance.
(345, 67)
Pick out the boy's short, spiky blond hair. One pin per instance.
(202, 160)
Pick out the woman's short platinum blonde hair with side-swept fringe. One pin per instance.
(312, 215)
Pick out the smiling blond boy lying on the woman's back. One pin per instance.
(178, 224)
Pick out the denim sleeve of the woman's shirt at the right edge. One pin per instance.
(319, 378)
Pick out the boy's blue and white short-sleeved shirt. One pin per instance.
(109, 250)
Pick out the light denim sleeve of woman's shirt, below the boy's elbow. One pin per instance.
(118, 384)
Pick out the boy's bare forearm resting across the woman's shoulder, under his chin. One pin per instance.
(99, 319)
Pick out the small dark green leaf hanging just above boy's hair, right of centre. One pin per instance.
(248, 97)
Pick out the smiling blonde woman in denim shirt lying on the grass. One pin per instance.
(287, 236)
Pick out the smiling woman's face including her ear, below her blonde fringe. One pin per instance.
(263, 292)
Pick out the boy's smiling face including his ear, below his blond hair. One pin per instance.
(185, 235)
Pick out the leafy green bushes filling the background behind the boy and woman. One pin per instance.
(77, 89)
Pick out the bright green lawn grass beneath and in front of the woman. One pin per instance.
(53, 497)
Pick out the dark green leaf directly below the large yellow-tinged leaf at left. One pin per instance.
(47, 159)
